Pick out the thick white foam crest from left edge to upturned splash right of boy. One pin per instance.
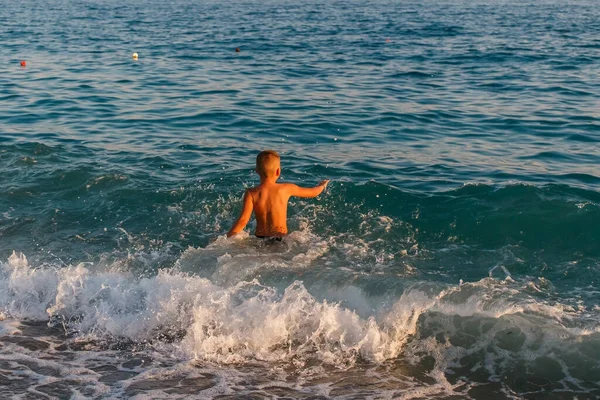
(226, 324)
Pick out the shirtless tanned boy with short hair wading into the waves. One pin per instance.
(269, 199)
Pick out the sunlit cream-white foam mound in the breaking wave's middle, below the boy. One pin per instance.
(295, 326)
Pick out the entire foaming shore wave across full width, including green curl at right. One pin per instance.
(246, 321)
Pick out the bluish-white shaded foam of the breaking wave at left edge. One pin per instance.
(106, 304)
